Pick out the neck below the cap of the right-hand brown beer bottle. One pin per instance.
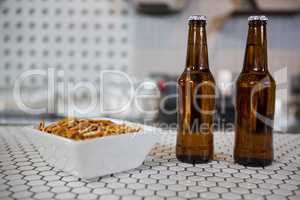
(256, 59)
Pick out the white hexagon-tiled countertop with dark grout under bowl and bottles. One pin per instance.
(25, 175)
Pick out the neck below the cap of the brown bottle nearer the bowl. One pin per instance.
(197, 54)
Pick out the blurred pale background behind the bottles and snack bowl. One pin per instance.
(145, 39)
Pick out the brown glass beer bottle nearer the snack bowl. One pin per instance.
(196, 99)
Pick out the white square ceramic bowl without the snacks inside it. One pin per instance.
(97, 156)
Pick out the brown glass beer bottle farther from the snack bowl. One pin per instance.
(255, 100)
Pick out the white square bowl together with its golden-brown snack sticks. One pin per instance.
(90, 148)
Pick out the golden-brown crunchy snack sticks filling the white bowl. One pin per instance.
(80, 129)
